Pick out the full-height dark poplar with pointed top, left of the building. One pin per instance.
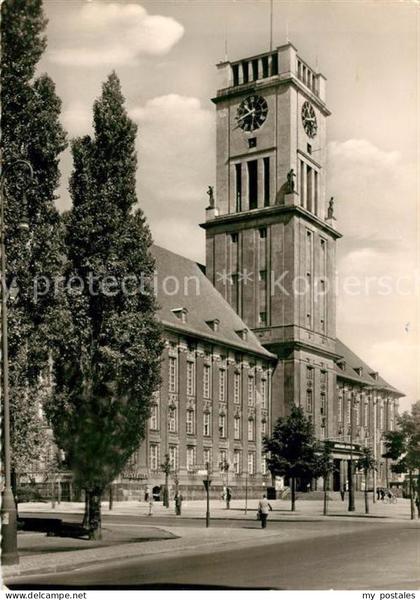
(108, 342)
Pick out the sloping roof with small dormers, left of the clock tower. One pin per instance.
(182, 284)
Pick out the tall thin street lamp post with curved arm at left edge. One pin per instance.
(9, 551)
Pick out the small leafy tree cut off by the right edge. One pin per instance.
(403, 447)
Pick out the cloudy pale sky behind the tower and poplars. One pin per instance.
(165, 54)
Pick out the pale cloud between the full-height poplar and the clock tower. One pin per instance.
(176, 164)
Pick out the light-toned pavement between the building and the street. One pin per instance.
(40, 554)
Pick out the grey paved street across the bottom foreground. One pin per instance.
(366, 556)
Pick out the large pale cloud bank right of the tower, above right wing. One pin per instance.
(376, 211)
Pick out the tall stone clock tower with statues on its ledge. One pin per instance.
(270, 237)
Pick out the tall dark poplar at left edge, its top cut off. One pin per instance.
(31, 131)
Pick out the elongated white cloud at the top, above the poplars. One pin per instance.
(115, 34)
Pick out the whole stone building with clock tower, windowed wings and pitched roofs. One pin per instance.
(260, 336)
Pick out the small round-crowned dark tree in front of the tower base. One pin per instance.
(292, 449)
